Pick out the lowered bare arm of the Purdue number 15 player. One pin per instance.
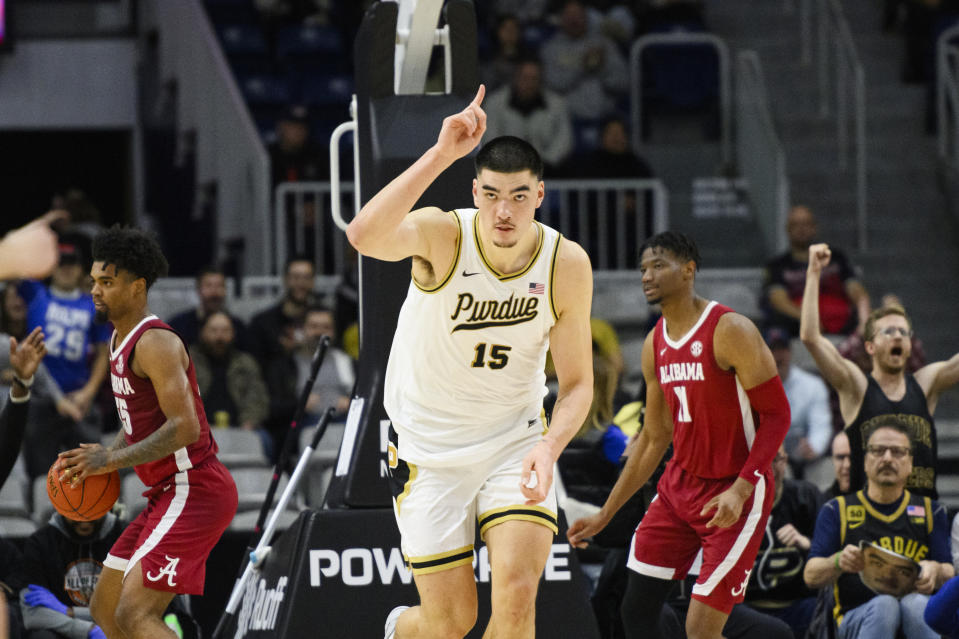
(571, 346)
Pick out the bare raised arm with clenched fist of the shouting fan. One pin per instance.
(842, 374)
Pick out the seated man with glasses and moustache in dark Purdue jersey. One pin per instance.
(884, 548)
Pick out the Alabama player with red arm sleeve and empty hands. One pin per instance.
(712, 389)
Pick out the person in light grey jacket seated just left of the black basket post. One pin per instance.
(334, 381)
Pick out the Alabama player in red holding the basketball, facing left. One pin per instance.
(164, 437)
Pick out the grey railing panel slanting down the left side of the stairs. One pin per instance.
(759, 153)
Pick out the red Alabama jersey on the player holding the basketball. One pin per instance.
(140, 413)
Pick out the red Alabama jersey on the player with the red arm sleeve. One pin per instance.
(713, 422)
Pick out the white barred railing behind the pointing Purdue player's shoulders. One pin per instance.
(610, 218)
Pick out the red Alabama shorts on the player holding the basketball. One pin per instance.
(175, 533)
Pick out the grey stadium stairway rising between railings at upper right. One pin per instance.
(912, 245)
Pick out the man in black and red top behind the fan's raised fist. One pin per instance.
(843, 300)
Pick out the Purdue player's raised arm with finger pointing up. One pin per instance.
(382, 229)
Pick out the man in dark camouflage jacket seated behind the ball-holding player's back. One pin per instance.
(229, 379)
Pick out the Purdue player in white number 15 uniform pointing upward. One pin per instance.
(491, 290)
